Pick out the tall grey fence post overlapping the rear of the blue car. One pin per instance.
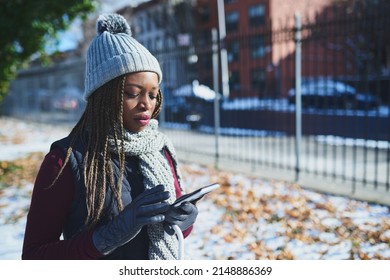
(298, 99)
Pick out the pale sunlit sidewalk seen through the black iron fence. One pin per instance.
(200, 148)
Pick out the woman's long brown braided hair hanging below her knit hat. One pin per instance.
(102, 119)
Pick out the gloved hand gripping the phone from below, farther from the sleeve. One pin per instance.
(183, 216)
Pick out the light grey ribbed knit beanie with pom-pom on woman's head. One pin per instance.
(114, 52)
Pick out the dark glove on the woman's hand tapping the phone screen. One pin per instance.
(147, 208)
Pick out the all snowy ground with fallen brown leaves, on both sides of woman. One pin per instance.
(247, 218)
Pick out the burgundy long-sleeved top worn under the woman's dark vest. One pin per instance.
(48, 213)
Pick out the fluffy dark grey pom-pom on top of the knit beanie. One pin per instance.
(112, 23)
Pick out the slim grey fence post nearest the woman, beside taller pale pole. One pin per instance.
(214, 37)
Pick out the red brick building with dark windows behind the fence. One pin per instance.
(255, 57)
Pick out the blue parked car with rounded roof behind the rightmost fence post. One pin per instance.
(331, 94)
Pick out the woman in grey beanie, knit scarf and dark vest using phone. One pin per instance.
(108, 187)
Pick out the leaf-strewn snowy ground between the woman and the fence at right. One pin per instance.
(256, 219)
